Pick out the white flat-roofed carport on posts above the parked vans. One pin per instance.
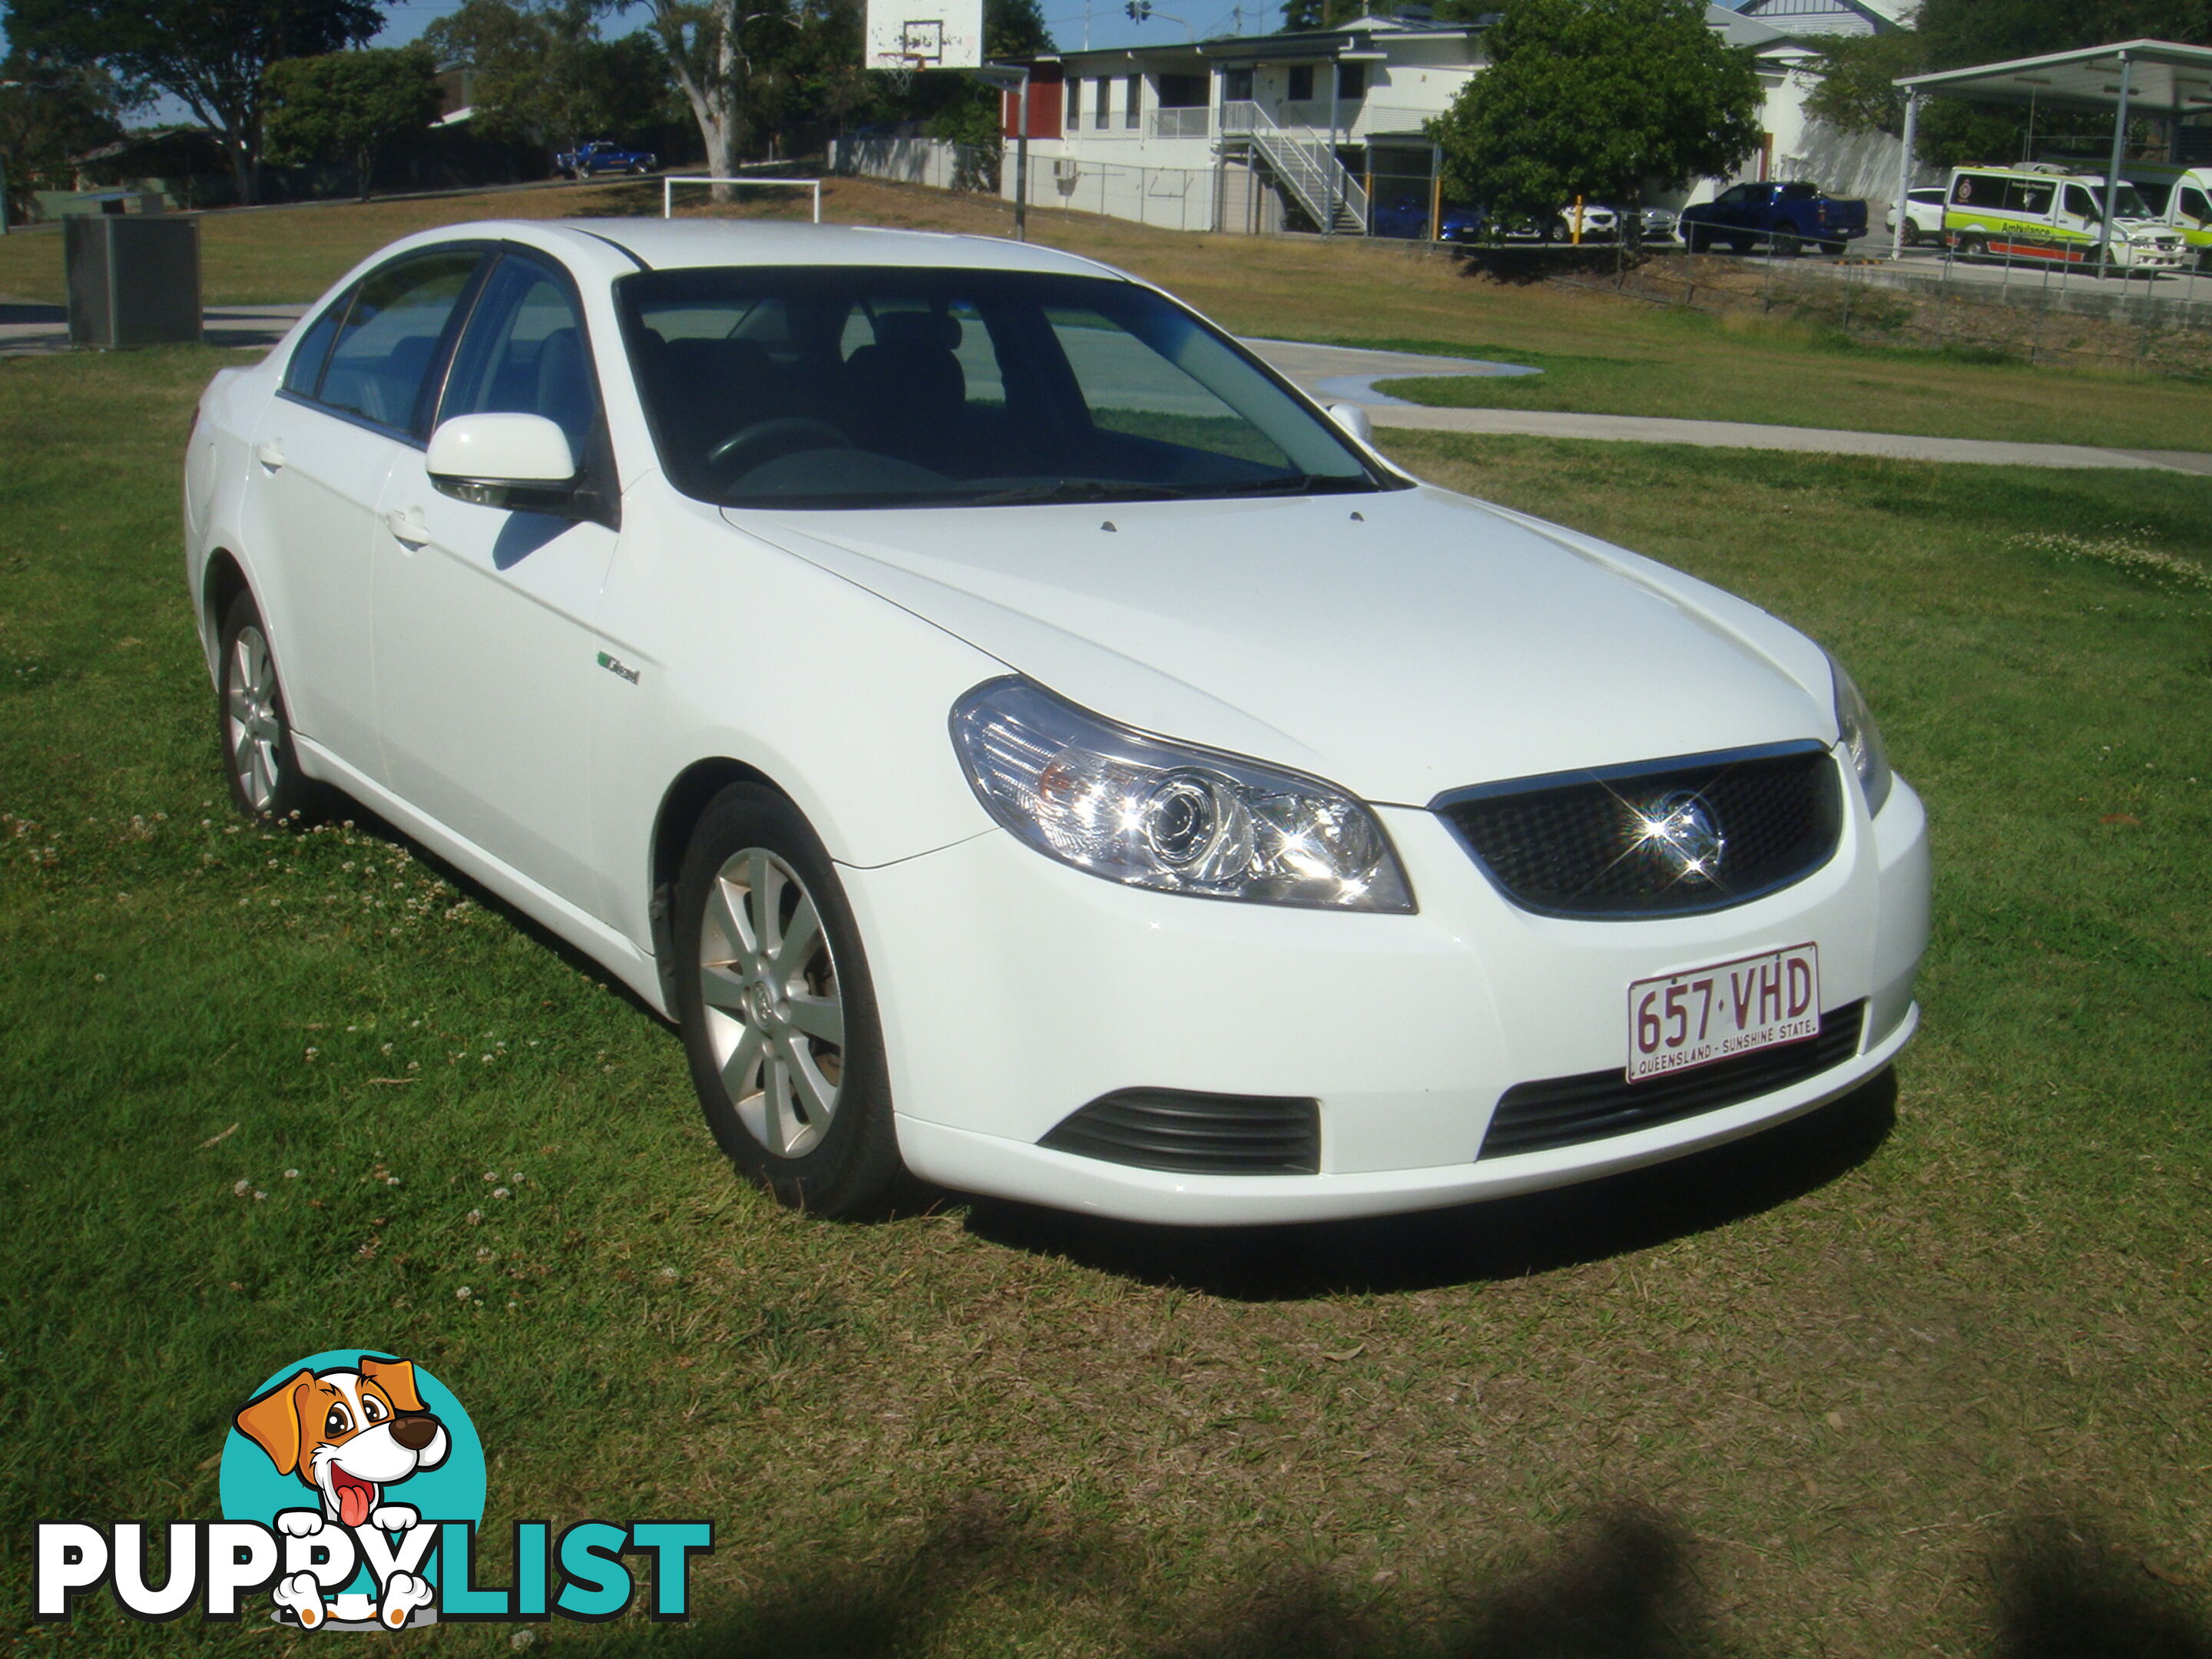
(2131, 79)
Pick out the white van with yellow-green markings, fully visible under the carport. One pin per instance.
(2054, 216)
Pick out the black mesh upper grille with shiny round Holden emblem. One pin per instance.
(1587, 844)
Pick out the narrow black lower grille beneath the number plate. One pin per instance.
(1569, 1112)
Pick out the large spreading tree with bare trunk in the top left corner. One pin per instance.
(207, 54)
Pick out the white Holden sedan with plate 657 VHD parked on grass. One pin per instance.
(1027, 744)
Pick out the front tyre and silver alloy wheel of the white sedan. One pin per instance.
(778, 1010)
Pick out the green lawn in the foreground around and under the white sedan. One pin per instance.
(1919, 1375)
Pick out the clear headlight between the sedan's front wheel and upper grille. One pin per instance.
(1165, 815)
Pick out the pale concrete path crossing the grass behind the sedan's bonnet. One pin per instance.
(1331, 373)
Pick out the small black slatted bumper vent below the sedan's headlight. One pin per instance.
(1173, 1129)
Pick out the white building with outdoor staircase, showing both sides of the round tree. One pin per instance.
(1317, 129)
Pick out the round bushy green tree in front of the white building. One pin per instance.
(1594, 98)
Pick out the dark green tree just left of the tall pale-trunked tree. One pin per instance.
(545, 76)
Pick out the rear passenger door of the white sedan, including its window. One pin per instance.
(324, 448)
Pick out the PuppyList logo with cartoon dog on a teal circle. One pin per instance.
(353, 1492)
